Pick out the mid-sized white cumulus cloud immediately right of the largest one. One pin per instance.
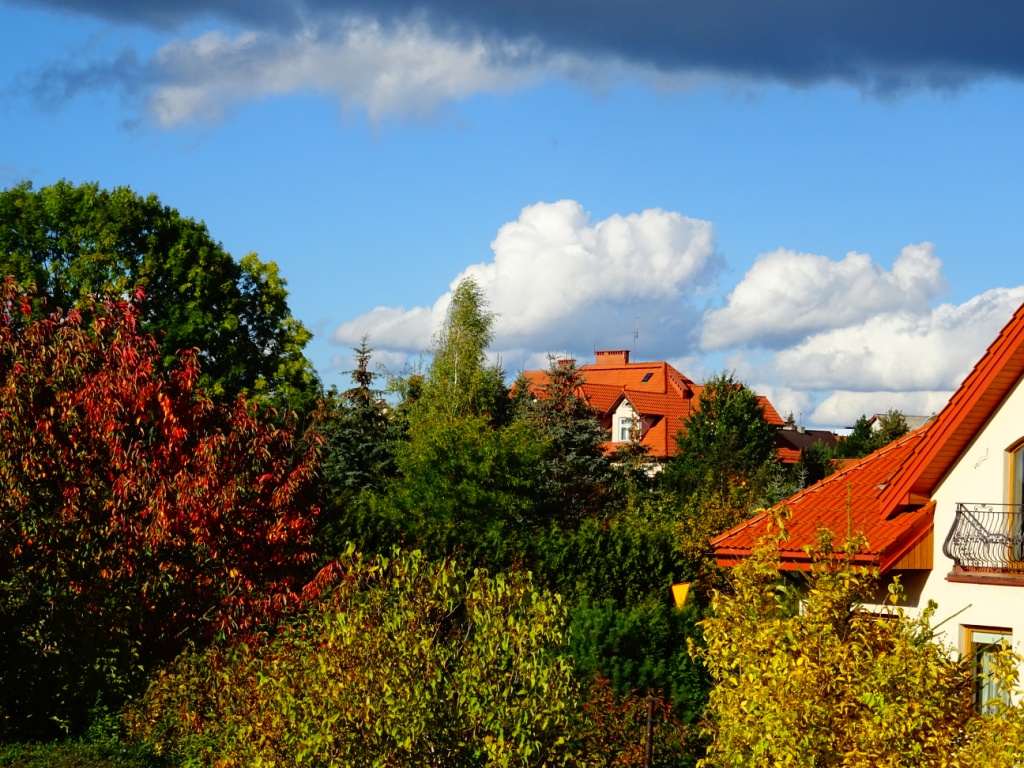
(787, 296)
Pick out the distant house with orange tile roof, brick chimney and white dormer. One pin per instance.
(654, 399)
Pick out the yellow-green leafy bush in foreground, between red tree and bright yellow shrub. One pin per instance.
(400, 663)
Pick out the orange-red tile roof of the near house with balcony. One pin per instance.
(887, 496)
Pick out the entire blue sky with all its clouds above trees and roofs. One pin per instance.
(824, 198)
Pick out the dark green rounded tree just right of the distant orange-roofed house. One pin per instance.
(726, 444)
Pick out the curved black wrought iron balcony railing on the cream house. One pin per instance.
(988, 537)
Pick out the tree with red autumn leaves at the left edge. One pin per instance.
(137, 517)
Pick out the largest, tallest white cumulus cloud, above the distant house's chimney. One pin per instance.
(561, 282)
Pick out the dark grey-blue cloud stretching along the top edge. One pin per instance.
(881, 46)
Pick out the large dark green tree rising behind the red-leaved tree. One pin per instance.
(72, 242)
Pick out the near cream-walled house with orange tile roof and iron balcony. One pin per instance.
(942, 507)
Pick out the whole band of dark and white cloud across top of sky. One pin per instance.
(410, 57)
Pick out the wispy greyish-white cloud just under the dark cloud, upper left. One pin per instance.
(404, 70)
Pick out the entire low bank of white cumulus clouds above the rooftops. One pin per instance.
(824, 338)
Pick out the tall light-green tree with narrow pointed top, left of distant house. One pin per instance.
(467, 476)
